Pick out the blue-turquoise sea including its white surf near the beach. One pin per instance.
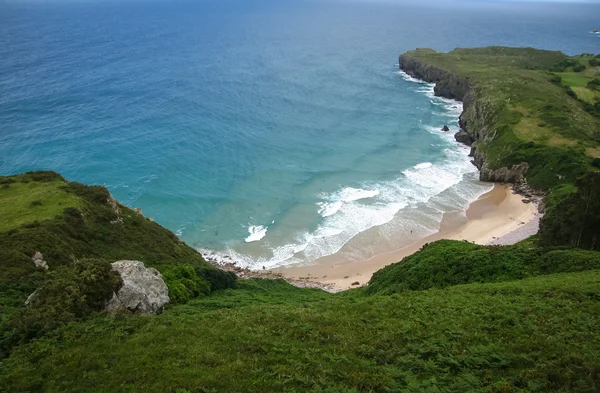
(272, 131)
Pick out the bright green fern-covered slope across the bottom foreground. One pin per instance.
(535, 335)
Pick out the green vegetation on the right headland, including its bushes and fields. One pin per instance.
(541, 108)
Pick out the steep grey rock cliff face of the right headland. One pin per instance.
(477, 118)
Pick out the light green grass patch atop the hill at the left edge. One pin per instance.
(26, 202)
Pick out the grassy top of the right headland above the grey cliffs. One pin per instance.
(533, 119)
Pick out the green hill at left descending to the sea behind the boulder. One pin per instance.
(69, 223)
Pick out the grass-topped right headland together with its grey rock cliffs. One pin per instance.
(523, 126)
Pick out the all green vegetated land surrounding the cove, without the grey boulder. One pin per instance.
(453, 317)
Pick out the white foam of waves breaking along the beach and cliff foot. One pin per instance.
(448, 184)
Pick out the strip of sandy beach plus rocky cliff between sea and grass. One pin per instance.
(503, 216)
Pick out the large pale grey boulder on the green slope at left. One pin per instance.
(143, 290)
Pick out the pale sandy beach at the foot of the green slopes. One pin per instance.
(497, 217)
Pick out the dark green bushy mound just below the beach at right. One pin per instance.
(449, 262)
